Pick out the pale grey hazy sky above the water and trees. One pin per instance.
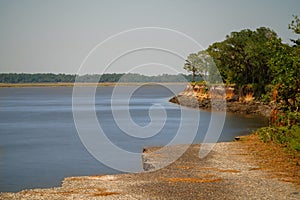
(58, 36)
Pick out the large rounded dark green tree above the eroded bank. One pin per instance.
(242, 58)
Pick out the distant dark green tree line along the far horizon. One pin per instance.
(70, 78)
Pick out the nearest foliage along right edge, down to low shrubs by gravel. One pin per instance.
(285, 68)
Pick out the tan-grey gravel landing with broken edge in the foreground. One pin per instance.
(228, 172)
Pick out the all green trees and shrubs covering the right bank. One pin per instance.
(258, 63)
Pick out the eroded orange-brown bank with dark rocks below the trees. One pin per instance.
(196, 97)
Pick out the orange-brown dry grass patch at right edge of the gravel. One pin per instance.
(273, 158)
